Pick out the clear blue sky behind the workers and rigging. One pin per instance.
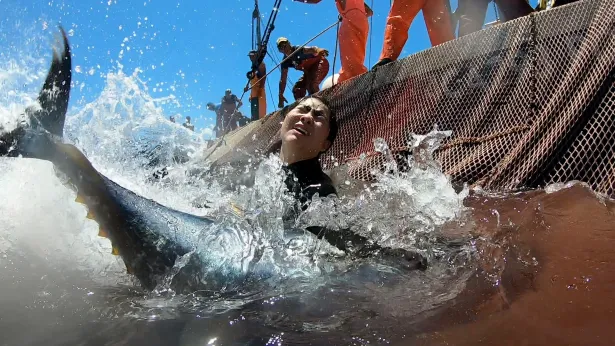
(198, 47)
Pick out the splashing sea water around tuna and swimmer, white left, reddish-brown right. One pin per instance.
(502, 259)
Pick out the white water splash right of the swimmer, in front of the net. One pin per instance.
(401, 209)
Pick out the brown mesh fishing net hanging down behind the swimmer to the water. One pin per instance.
(530, 102)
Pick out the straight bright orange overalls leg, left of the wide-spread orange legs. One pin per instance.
(352, 38)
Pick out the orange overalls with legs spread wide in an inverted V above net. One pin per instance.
(437, 19)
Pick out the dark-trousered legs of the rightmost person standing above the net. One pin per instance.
(471, 13)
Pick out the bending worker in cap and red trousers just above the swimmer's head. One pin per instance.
(311, 60)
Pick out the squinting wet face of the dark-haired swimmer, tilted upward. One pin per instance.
(305, 130)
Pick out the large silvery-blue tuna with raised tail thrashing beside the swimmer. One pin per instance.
(158, 245)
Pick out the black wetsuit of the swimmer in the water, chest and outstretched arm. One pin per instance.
(304, 179)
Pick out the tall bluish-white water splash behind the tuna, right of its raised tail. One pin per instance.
(126, 126)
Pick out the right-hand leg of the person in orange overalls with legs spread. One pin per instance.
(438, 21)
